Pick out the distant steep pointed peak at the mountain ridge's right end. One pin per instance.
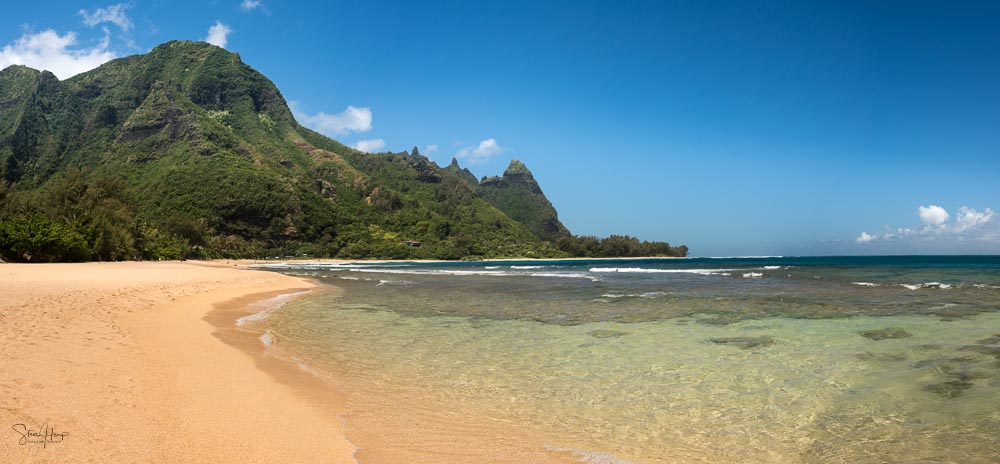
(518, 194)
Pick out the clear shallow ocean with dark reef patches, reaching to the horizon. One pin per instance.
(759, 359)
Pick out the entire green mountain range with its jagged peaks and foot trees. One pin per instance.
(187, 151)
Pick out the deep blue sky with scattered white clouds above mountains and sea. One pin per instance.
(737, 128)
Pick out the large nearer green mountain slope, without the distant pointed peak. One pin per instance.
(199, 136)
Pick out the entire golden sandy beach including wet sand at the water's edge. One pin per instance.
(143, 363)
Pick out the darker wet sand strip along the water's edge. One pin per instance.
(387, 422)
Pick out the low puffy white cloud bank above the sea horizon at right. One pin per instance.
(969, 225)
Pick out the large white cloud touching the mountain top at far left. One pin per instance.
(47, 50)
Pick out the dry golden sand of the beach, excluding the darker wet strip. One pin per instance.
(118, 362)
